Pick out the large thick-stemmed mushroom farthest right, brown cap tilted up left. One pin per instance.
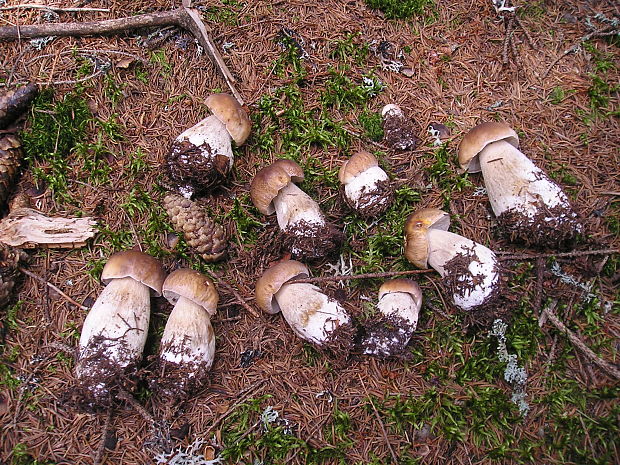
(528, 204)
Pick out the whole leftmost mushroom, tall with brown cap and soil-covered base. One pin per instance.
(115, 329)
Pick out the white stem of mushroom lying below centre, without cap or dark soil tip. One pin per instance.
(309, 312)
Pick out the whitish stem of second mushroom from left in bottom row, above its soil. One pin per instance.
(188, 337)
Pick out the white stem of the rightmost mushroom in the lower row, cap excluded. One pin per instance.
(443, 246)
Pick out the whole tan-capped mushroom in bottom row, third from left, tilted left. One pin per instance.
(312, 315)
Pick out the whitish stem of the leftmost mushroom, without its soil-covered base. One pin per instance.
(120, 316)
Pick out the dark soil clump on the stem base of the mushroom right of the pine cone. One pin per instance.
(311, 241)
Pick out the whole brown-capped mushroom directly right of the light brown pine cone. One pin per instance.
(306, 232)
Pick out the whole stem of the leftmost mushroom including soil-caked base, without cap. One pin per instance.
(113, 336)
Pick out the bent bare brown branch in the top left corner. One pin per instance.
(186, 18)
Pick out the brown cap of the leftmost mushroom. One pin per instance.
(136, 265)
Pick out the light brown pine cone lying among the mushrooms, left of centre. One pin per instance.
(201, 233)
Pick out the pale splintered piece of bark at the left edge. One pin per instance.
(28, 228)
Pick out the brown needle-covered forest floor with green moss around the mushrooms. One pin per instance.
(314, 76)
